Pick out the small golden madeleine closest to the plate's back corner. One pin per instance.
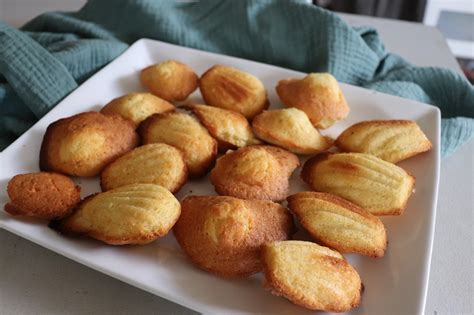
(171, 80)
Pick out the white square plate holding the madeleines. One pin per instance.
(396, 284)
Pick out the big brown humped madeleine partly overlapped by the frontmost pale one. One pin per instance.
(224, 235)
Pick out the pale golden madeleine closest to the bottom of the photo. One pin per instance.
(311, 276)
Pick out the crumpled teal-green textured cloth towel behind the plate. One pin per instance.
(47, 59)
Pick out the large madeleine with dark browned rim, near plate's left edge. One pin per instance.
(83, 144)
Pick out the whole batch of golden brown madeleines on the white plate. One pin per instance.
(145, 149)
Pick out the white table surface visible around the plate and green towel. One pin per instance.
(34, 280)
